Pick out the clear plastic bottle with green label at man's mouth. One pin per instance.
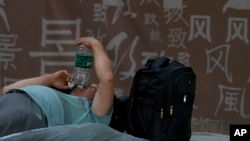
(82, 66)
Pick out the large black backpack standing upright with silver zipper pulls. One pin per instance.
(161, 101)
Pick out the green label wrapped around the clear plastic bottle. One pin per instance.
(83, 61)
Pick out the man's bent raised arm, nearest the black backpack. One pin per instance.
(103, 99)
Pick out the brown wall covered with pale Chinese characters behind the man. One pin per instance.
(37, 37)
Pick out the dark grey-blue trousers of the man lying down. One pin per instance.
(18, 112)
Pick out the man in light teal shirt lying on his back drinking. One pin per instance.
(36, 103)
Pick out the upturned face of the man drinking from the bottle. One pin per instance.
(87, 92)
